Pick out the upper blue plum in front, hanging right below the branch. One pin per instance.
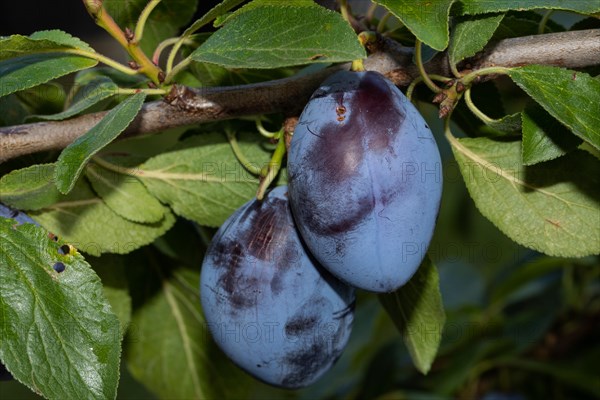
(365, 181)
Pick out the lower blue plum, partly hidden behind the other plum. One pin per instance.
(269, 306)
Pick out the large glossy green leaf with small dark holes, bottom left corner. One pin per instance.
(59, 336)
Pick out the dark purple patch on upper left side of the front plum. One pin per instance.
(338, 152)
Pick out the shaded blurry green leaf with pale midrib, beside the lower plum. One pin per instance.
(170, 351)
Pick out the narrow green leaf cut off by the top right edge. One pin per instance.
(481, 7)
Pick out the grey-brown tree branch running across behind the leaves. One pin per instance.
(185, 106)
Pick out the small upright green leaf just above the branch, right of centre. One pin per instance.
(471, 34)
